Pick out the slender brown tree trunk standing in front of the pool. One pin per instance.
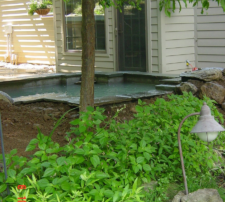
(88, 55)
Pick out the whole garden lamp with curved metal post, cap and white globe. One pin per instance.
(207, 130)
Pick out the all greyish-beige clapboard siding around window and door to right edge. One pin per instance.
(186, 35)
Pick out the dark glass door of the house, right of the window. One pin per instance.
(131, 38)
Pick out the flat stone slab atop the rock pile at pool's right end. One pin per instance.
(208, 74)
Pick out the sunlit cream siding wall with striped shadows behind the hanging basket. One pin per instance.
(33, 36)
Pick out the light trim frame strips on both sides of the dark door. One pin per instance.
(147, 37)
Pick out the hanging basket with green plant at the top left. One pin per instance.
(42, 8)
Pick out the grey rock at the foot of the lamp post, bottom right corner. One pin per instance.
(203, 195)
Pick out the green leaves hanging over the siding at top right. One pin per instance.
(169, 5)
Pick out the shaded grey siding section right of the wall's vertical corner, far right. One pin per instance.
(210, 36)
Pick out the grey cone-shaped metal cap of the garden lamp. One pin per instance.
(206, 122)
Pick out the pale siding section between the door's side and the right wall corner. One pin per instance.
(177, 40)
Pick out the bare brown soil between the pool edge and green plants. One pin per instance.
(20, 122)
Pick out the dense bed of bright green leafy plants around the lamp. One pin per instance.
(110, 161)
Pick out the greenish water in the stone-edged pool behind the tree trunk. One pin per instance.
(101, 90)
